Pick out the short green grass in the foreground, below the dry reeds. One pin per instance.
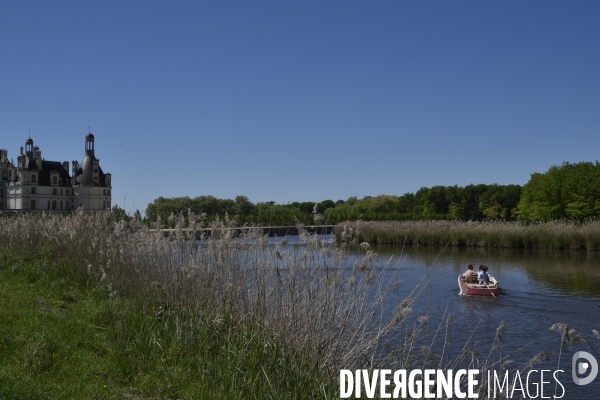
(65, 336)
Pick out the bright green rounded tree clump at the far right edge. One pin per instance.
(567, 191)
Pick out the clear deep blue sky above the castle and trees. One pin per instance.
(302, 100)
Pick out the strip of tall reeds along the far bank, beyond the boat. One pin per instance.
(552, 235)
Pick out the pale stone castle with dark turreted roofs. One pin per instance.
(36, 185)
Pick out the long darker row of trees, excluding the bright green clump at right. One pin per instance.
(473, 202)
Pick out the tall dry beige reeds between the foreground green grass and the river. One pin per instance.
(306, 299)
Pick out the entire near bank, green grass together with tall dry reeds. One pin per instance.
(96, 308)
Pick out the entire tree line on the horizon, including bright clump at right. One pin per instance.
(568, 191)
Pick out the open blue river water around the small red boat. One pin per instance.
(540, 288)
